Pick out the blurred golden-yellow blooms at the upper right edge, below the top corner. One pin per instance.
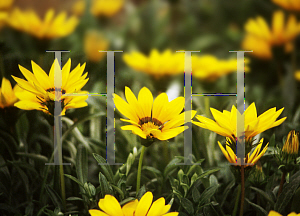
(260, 38)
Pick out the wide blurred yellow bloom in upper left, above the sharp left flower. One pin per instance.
(51, 27)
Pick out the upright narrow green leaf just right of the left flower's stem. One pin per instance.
(81, 164)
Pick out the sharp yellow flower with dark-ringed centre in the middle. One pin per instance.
(160, 119)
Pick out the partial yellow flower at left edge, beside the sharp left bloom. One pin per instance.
(7, 94)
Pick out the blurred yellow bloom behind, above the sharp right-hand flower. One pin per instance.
(210, 68)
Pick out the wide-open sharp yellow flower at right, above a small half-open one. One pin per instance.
(225, 124)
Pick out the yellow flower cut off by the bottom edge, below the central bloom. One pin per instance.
(111, 207)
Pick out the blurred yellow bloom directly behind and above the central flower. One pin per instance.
(157, 64)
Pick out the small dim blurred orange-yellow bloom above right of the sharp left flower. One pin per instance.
(94, 42)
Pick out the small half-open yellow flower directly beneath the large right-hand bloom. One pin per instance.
(251, 158)
